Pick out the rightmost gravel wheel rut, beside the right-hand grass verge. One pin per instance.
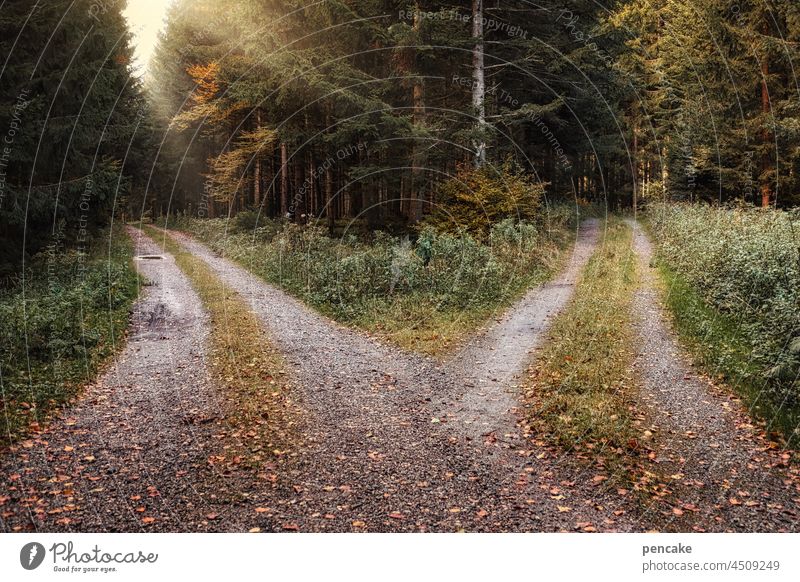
(725, 473)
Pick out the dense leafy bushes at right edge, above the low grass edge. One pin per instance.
(744, 263)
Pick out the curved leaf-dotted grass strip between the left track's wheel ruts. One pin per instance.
(244, 363)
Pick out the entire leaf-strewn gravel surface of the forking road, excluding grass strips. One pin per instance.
(389, 441)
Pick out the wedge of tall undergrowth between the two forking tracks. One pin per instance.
(422, 293)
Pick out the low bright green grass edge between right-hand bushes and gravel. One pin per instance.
(718, 344)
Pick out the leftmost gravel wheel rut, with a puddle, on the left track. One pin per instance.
(131, 453)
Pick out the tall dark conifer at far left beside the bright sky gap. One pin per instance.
(70, 121)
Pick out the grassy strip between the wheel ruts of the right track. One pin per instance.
(581, 389)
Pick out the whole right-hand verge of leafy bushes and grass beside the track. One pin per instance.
(734, 286)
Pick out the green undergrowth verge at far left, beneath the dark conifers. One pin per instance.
(60, 327)
